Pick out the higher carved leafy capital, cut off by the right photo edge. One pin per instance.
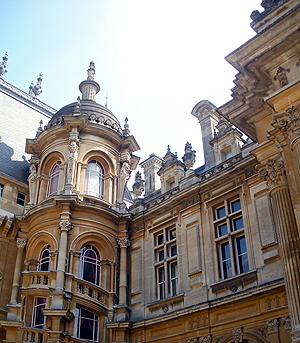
(288, 122)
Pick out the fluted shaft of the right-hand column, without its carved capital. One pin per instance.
(289, 248)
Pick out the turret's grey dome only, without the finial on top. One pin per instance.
(95, 113)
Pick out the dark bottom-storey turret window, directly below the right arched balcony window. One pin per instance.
(86, 325)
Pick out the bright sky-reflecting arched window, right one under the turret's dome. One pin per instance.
(94, 179)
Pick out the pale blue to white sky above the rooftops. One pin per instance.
(156, 59)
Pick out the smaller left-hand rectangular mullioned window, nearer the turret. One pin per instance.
(165, 252)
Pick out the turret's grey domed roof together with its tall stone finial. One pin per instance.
(95, 113)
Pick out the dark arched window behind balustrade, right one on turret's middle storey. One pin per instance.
(89, 264)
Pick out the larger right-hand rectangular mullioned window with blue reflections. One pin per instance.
(230, 239)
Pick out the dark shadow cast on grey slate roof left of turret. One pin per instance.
(17, 169)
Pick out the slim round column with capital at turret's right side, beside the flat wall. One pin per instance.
(124, 243)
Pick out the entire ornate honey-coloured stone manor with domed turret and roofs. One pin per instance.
(208, 254)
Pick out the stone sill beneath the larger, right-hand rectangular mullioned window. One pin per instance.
(235, 281)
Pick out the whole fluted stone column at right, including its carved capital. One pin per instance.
(273, 172)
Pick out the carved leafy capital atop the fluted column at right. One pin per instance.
(273, 172)
